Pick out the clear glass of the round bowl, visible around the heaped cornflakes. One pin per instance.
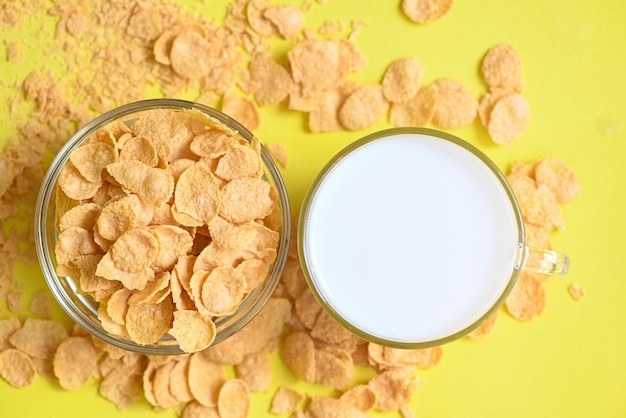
(83, 309)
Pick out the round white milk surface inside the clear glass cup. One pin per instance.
(410, 238)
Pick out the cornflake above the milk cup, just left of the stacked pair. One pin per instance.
(456, 105)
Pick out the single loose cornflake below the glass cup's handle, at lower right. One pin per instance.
(527, 300)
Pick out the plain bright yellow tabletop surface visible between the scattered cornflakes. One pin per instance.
(571, 361)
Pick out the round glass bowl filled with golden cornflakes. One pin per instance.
(162, 227)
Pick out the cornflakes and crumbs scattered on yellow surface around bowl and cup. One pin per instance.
(119, 51)
